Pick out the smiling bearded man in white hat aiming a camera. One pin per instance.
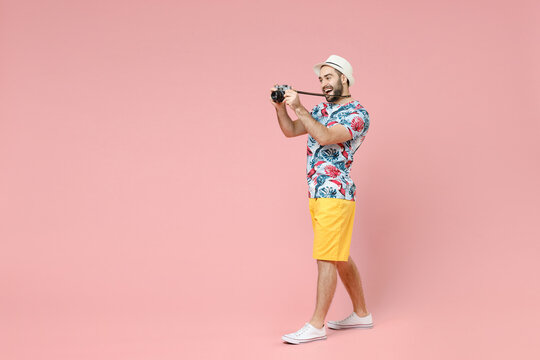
(335, 128)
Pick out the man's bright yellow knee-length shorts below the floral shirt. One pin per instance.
(332, 227)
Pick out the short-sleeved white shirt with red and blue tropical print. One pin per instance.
(328, 166)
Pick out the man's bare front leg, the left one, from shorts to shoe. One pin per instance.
(326, 286)
